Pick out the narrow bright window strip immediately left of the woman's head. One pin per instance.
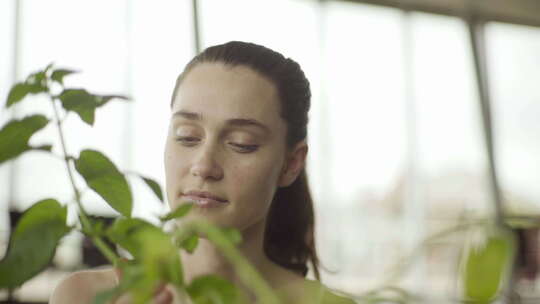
(162, 44)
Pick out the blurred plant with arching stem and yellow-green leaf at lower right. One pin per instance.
(485, 265)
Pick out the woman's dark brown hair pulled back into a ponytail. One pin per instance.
(289, 239)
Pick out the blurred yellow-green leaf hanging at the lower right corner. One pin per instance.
(486, 267)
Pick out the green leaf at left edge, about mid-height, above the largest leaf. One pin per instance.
(15, 134)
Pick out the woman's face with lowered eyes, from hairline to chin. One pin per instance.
(225, 137)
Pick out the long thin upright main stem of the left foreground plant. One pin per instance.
(83, 216)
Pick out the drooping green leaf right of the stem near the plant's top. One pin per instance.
(80, 102)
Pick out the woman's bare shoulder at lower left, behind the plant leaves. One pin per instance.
(82, 286)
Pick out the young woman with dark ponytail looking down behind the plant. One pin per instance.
(237, 148)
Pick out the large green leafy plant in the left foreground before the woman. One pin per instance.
(155, 252)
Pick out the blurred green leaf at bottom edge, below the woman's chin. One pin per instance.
(211, 289)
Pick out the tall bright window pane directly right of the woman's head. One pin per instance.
(365, 138)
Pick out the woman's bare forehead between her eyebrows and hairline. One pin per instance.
(219, 91)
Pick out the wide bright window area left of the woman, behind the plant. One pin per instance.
(135, 49)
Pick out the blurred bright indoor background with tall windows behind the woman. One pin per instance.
(397, 149)
